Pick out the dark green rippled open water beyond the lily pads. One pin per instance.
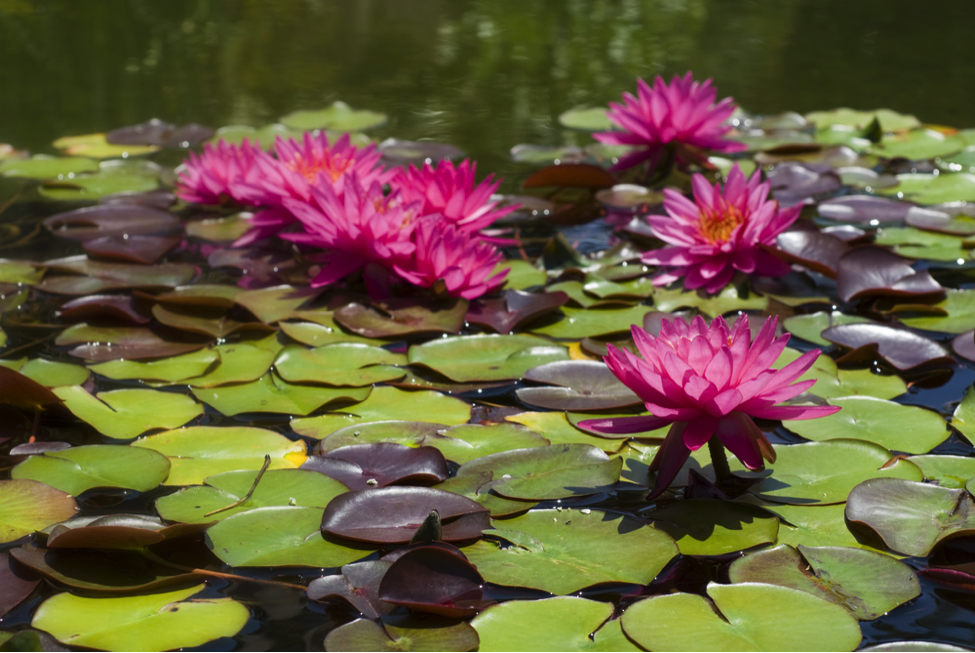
(481, 74)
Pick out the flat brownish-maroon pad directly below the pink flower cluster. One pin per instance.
(402, 317)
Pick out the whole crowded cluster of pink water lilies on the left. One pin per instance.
(425, 231)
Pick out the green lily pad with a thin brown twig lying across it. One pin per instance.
(278, 487)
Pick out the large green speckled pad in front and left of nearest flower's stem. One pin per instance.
(571, 553)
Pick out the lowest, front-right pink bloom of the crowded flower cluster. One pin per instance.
(444, 253)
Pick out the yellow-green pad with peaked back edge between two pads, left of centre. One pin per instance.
(271, 394)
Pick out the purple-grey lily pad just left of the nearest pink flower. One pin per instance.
(585, 385)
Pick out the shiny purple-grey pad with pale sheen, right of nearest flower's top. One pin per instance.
(903, 349)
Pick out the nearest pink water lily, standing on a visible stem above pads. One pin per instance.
(708, 381)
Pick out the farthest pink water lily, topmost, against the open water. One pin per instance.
(682, 112)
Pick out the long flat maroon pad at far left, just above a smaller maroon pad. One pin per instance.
(94, 222)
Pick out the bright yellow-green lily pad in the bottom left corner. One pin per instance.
(155, 622)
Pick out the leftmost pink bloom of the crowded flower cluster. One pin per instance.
(218, 173)
